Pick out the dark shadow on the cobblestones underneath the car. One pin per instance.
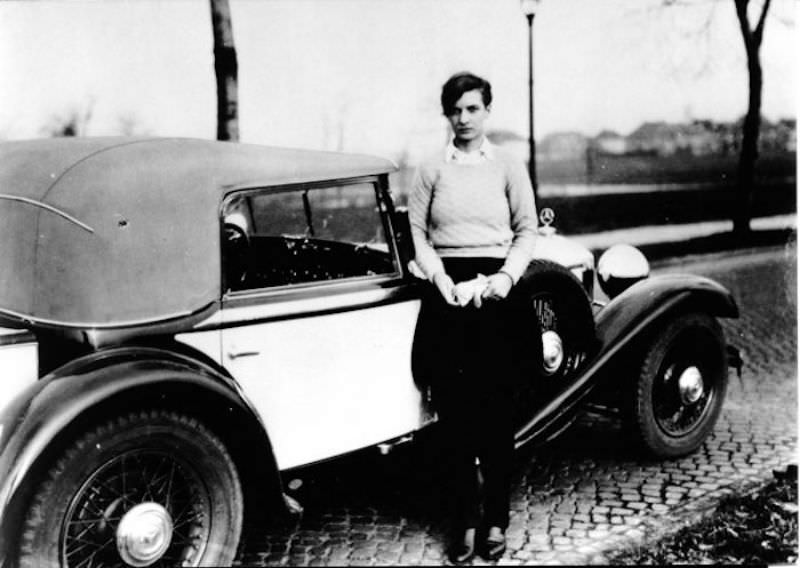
(364, 491)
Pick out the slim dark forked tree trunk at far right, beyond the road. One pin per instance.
(746, 178)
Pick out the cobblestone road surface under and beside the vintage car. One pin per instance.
(584, 497)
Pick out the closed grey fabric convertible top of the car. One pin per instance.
(98, 232)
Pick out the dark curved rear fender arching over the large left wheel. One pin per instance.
(37, 421)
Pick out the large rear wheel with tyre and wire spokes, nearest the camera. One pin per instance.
(150, 489)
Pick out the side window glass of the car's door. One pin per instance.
(320, 234)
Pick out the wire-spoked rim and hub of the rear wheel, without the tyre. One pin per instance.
(142, 506)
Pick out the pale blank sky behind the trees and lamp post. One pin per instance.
(365, 75)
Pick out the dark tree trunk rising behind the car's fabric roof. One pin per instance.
(226, 69)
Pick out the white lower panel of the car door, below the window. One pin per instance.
(328, 384)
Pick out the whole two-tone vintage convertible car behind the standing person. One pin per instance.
(184, 321)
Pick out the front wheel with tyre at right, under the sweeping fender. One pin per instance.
(681, 385)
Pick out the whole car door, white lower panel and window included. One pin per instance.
(318, 322)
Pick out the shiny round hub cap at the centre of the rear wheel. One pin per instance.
(144, 534)
